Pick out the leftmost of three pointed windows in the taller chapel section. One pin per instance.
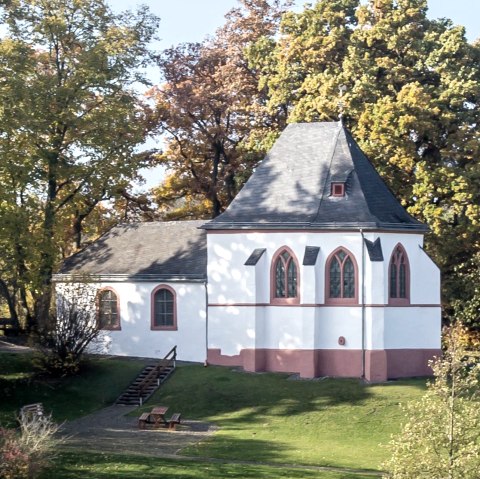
(284, 278)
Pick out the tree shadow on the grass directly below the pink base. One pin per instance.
(204, 393)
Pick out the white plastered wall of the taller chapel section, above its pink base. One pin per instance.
(240, 316)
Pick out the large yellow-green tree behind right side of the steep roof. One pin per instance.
(412, 102)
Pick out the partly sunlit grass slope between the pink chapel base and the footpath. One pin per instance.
(269, 418)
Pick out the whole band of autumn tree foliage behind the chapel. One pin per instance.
(73, 119)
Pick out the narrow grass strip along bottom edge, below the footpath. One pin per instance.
(99, 466)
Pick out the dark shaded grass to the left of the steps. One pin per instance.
(98, 384)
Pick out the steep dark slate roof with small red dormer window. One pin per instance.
(291, 187)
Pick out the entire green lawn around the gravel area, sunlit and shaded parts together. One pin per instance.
(265, 418)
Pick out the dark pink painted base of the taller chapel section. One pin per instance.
(380, 365)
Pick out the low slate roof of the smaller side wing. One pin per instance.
(159, 251)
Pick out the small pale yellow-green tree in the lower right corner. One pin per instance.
(441, 436)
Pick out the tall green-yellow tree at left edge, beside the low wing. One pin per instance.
(71, 119)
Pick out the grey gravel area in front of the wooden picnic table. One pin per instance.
(110, 430)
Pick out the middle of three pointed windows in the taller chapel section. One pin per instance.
(341, 280)
